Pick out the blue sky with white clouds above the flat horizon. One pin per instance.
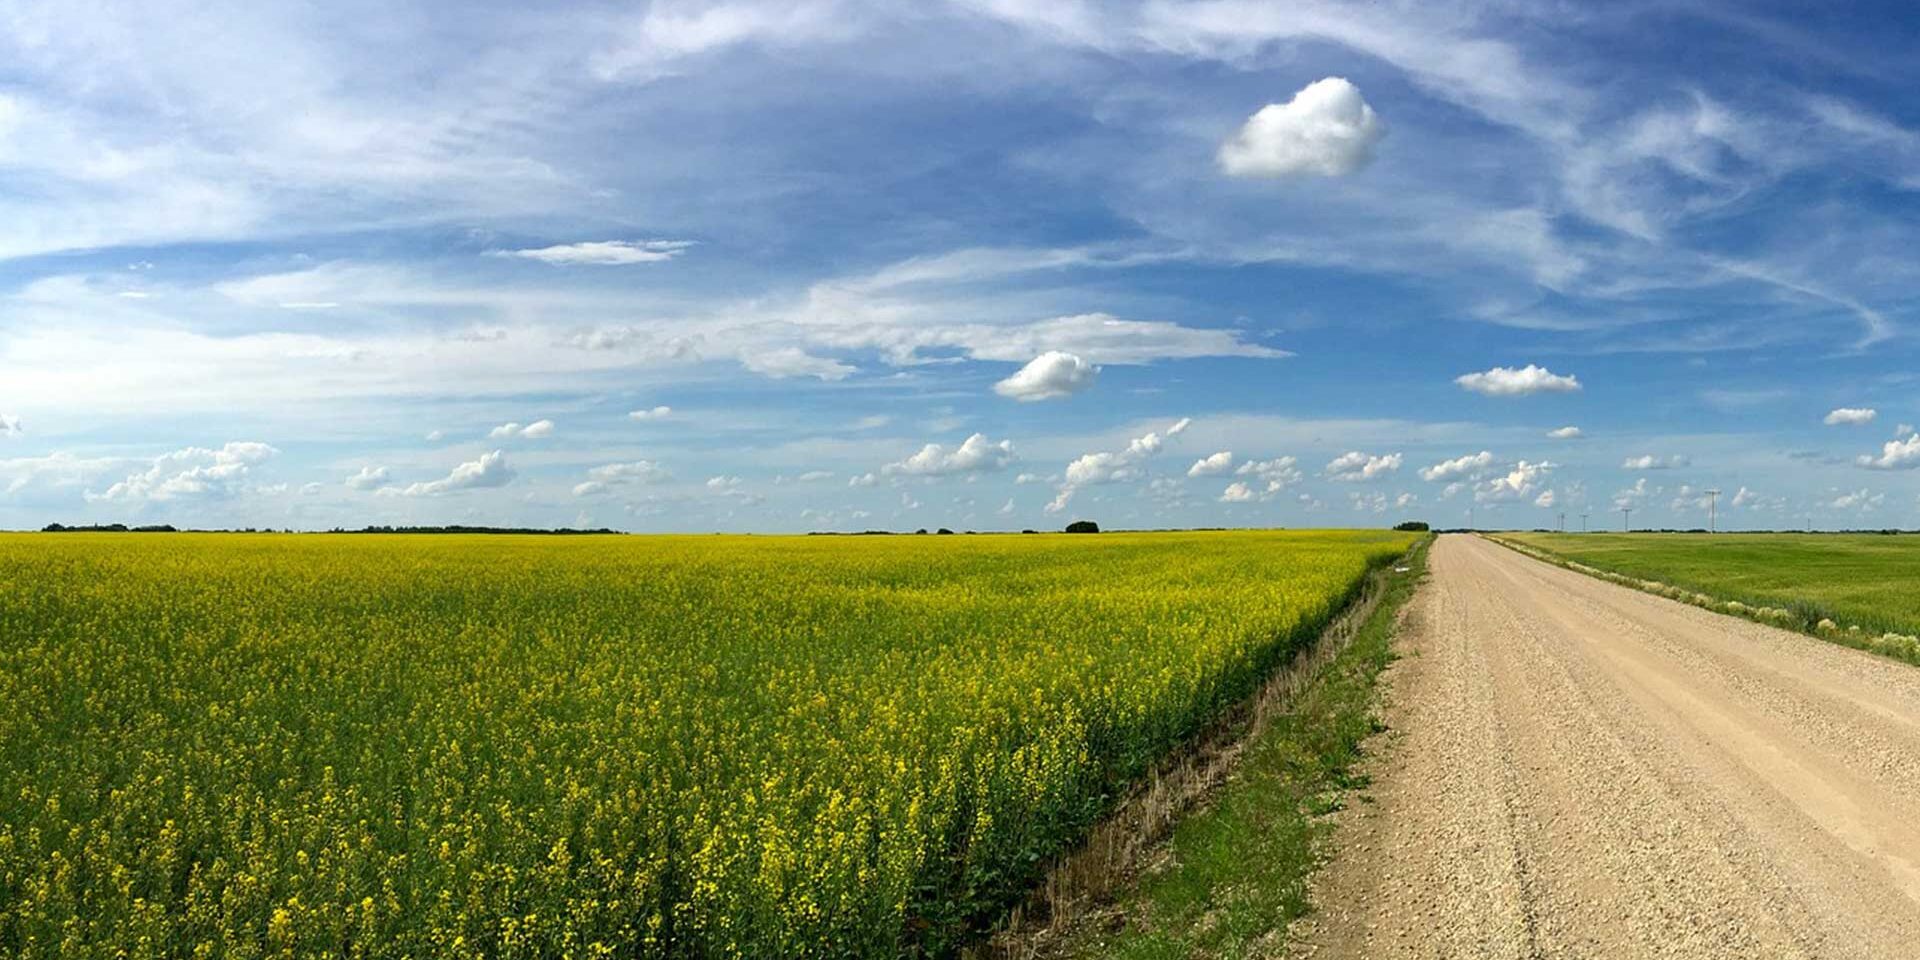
(976, 264)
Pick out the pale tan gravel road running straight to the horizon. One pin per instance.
(1577, 769)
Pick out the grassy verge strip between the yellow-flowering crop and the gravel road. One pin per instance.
(1234, 873)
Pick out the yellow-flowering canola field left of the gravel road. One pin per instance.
(443, 746)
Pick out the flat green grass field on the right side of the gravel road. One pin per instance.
(1860, 581)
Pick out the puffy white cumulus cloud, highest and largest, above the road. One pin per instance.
(1328, 130)
